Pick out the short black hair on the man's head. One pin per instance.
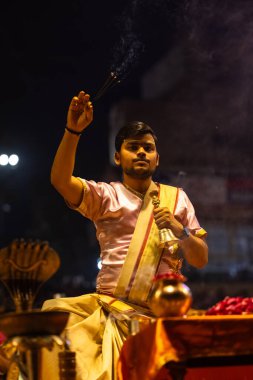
(132, 129)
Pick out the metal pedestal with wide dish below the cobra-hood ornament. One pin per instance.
(27, 334)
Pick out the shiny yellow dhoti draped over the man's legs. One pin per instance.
(95, 335)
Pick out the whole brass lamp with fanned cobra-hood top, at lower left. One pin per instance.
(24, 267)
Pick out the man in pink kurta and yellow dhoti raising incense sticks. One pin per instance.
(128, 227)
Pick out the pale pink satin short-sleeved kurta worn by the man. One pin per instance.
(114, 210)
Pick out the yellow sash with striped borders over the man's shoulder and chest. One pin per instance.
(144, 254)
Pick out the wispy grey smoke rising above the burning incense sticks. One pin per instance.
(139, 30)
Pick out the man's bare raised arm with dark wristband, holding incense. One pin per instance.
(80, 115)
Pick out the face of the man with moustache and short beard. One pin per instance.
(138, 156)
